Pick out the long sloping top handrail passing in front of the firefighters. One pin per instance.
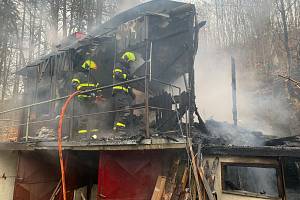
(64, 97)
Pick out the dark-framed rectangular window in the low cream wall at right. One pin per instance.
(250, 180)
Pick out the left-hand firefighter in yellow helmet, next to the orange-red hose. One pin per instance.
(84, 80)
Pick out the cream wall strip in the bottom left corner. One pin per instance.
(8, 169)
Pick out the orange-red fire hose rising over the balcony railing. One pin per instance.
(59, 142)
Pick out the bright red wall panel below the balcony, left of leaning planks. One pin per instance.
(130, 174)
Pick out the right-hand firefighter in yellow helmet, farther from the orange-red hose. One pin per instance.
(122, 94)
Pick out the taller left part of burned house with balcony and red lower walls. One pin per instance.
(163, 35)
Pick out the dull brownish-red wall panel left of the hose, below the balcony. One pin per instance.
(37, 175)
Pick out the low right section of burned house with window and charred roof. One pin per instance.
(241, 172)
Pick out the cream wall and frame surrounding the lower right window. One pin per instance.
(218, 177)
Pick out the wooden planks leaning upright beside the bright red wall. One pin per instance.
(176, 184)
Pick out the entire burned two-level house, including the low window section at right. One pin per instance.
(163, 155)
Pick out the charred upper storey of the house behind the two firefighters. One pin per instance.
(161, 34)
